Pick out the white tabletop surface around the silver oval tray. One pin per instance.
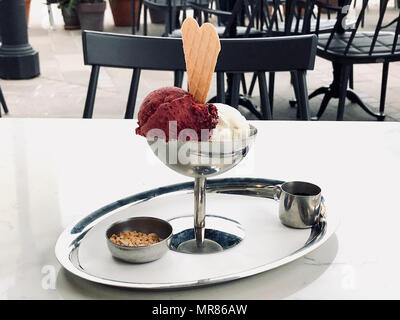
(55, 171)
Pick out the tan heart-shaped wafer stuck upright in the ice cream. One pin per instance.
(201, 47)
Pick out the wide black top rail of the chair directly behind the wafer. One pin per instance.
(237, 55)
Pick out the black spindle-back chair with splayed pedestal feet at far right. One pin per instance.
(345, 48)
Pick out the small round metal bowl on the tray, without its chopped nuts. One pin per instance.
(140, 254)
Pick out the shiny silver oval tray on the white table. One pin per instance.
(240, 205)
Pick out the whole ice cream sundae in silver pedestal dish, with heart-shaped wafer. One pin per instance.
(190, 136)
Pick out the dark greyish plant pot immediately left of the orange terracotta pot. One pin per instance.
(91, 15)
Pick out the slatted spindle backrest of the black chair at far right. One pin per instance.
(372, 44)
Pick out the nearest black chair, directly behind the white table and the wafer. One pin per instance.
(143, 53)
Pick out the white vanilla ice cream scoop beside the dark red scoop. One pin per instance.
(231, 124)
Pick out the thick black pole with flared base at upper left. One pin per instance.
(17, 58)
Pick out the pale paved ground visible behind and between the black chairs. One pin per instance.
(60, 90)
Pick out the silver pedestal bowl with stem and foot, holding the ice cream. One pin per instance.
(201, 159)
